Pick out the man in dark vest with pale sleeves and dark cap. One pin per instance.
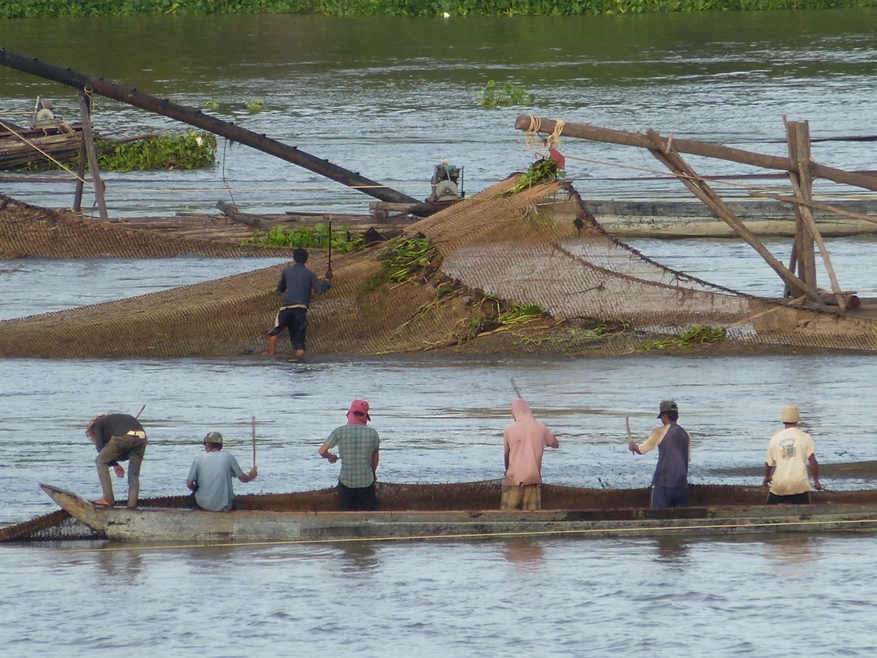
(670, 482)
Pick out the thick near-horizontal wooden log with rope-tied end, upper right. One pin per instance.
(528, 123)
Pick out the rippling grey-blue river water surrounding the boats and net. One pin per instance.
(389, 98)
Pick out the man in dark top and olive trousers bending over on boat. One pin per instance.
(117, 437)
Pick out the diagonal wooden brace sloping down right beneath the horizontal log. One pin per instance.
(662, 151)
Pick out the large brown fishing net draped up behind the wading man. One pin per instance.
(517, 272)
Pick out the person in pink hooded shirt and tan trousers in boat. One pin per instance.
(524, 441)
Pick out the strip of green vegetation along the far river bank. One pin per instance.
(66, 8)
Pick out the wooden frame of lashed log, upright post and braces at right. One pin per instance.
(800, 276)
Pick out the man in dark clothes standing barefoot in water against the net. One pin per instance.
(297, 281)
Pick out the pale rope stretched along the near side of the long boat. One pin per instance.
(484, 535)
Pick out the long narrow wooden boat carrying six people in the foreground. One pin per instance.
(469, 510)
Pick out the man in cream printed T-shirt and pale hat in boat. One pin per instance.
(785, 468)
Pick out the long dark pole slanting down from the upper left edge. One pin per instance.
(195, 117)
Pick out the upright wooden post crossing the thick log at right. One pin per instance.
(802, 183)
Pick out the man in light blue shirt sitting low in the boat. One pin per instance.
(210, 476)
